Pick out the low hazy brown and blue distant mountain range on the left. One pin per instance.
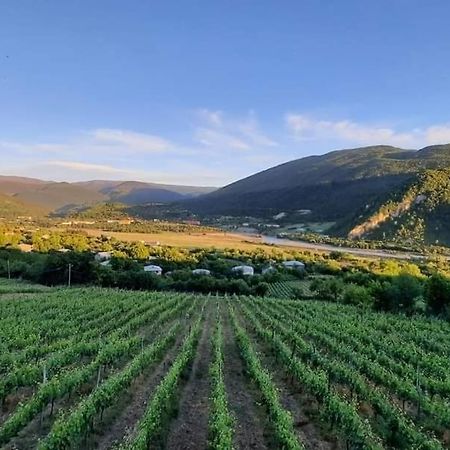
(59, 197)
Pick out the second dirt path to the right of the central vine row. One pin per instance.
(303, 407)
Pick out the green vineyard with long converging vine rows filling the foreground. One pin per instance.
(108, 369)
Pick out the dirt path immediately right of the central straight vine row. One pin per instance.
(250, 420)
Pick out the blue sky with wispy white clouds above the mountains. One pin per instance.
(208, 92)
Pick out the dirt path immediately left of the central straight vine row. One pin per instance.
(189, 430)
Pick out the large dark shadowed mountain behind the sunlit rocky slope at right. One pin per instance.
(341, 186)
